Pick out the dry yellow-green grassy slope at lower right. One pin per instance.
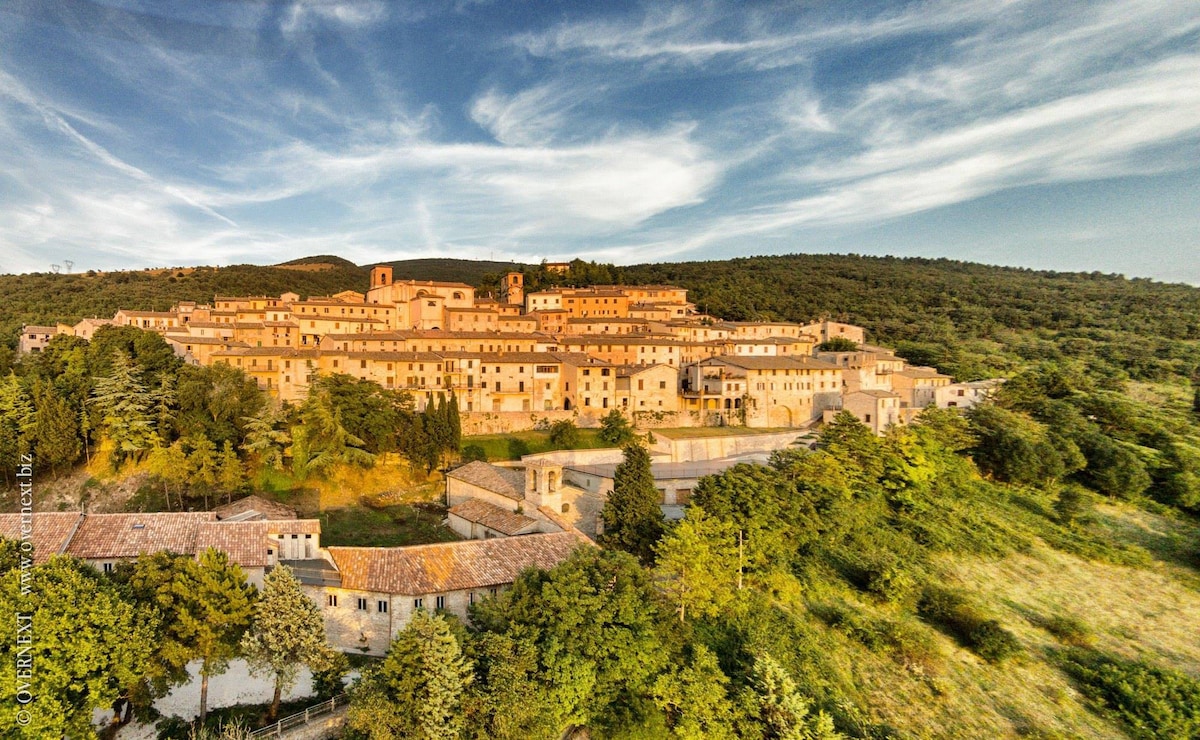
(1148, 612)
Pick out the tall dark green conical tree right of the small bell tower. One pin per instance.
(633, 516)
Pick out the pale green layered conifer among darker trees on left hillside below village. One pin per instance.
(127, 410)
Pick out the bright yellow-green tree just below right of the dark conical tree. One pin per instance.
(698, 564)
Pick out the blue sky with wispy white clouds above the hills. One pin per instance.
(1043, 134)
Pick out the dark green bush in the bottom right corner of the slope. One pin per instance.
(1154, 702)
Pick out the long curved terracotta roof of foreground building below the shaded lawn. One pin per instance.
(451, 567)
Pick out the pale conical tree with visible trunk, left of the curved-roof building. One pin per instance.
(287, 631)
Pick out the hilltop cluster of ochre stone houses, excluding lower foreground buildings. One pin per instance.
(548, 356)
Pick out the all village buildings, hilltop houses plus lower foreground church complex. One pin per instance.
(568, 353)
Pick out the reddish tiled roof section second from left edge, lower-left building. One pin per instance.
(128, 536)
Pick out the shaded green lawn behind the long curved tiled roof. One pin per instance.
(386, 527)
